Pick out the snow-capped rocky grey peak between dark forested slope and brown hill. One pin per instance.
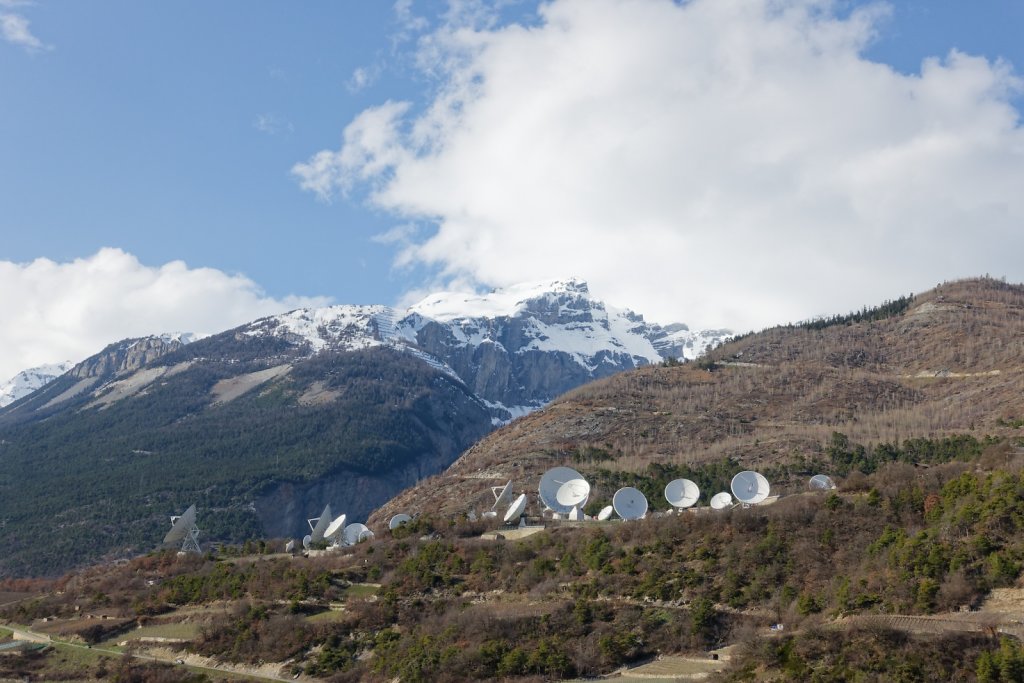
(516, 349)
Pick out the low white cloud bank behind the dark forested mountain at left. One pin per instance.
(54, 312)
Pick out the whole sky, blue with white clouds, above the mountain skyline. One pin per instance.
(174, 133)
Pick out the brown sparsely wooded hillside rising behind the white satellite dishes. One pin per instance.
(947, 362)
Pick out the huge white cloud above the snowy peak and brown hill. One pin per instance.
(720, 162)
